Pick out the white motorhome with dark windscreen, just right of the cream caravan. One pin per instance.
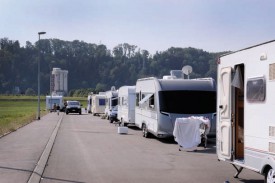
(111, 101)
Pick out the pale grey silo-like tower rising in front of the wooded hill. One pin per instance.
(59, 82)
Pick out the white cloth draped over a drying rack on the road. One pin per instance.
(187, 131)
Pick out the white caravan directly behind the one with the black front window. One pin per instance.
(126, 105)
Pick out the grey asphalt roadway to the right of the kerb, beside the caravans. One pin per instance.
(89, 149)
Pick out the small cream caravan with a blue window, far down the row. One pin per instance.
(98, 104)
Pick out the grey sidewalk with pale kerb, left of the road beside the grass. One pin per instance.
(24, 152)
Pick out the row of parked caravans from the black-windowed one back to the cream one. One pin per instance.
(154, 104)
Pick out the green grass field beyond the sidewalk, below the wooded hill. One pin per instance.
(17, 111)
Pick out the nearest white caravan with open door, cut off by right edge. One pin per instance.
(245, 106)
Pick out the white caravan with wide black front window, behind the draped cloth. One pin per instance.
(160, 101)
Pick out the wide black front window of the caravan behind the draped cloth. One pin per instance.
(188, 102)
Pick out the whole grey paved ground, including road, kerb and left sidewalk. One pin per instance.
(85, 148)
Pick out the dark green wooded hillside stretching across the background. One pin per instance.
(92, 67)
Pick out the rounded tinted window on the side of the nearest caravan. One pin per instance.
(255, 89)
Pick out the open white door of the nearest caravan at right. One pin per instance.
(224, 109)
